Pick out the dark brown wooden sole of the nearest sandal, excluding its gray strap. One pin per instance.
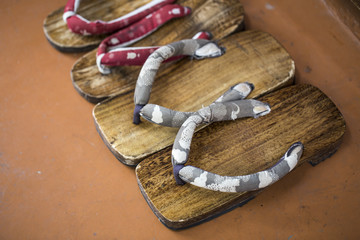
(299, 113)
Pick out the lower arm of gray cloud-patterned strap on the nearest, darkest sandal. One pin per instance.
(251, 182)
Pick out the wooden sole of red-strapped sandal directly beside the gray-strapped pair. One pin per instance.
(218, 17)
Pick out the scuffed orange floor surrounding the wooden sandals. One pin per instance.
(59, 181)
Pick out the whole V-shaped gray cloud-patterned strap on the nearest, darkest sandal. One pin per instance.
(227, 108)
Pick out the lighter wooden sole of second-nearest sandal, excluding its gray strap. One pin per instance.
(251, 56)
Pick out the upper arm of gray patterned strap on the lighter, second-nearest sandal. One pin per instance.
(197, 48)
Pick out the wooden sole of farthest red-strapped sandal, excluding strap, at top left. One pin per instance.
(59, 35)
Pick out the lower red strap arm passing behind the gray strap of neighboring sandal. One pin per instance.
(135, 56)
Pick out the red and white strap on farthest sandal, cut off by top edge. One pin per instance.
(80, 25)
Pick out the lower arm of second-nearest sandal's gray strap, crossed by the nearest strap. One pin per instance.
(171, 118)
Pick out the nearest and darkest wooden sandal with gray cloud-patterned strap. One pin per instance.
(303, 123)
